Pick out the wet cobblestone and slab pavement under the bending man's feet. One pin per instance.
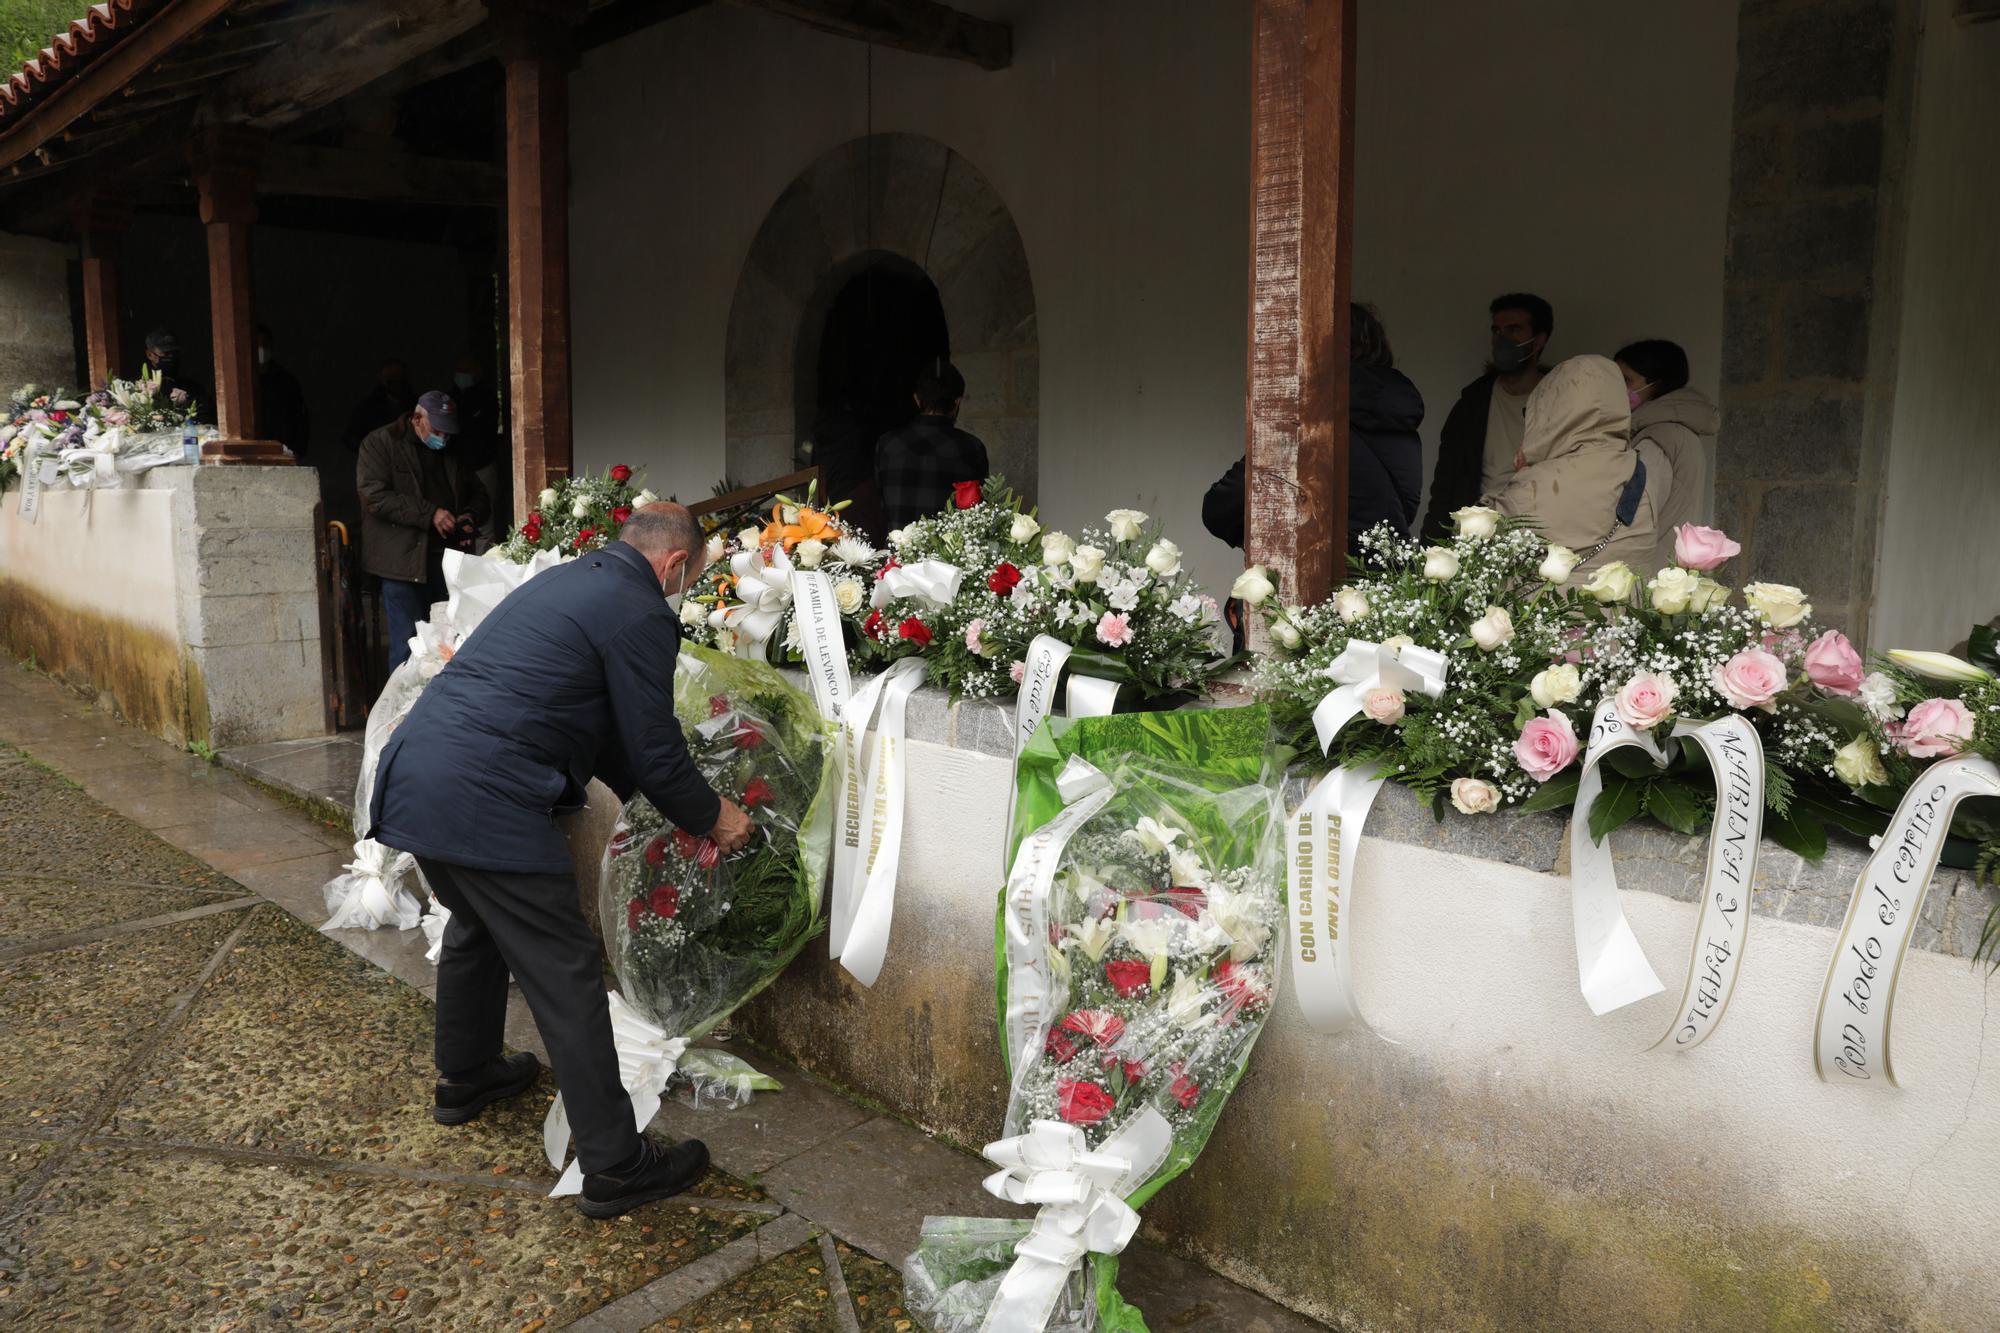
(215, 1116)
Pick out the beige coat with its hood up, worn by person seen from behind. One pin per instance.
(1577, 459)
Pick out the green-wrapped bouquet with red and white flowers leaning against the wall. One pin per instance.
(1137, 970)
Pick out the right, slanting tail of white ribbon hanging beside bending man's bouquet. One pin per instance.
(869, 846)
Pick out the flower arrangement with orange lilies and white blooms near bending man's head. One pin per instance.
(743, 601)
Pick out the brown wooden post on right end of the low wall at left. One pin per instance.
(225, 173)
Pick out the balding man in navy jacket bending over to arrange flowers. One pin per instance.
(571, 678)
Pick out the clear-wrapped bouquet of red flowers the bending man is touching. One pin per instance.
(689, 932)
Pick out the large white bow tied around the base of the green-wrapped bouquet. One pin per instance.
(1081, 1208)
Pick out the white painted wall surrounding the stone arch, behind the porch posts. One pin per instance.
(1121, 143)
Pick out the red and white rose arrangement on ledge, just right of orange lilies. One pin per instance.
(975, 585)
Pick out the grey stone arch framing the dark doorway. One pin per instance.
(909, 197)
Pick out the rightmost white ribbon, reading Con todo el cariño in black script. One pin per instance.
(1853, 1030)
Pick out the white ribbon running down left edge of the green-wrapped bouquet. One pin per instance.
(1025, 914)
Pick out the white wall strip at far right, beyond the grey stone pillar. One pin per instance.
(1939, 565)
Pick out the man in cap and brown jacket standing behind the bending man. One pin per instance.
(419, 499)
